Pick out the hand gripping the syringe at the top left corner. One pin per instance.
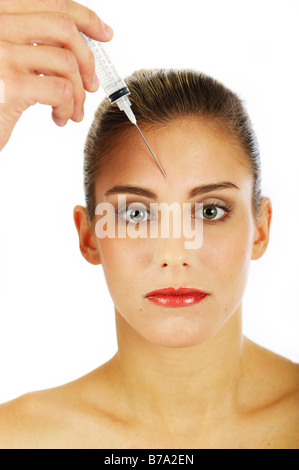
(60, 54)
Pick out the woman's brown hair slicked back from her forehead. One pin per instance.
(158, 97)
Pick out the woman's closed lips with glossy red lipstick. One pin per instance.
(171, 297)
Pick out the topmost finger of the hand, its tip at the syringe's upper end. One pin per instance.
(86, 20)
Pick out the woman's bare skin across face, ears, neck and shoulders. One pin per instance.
(184, 377)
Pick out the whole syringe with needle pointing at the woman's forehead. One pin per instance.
(113, 85)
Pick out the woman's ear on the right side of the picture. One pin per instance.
(262, 230)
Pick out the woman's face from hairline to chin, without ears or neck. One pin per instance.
(192, 154)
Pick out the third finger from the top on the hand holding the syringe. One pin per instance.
(51, 61)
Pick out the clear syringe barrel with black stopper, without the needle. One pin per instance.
(113, 85)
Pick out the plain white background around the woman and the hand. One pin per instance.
(56, 314)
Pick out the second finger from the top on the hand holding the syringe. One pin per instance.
(56, 29)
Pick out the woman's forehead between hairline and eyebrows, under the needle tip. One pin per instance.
(191, 152)
